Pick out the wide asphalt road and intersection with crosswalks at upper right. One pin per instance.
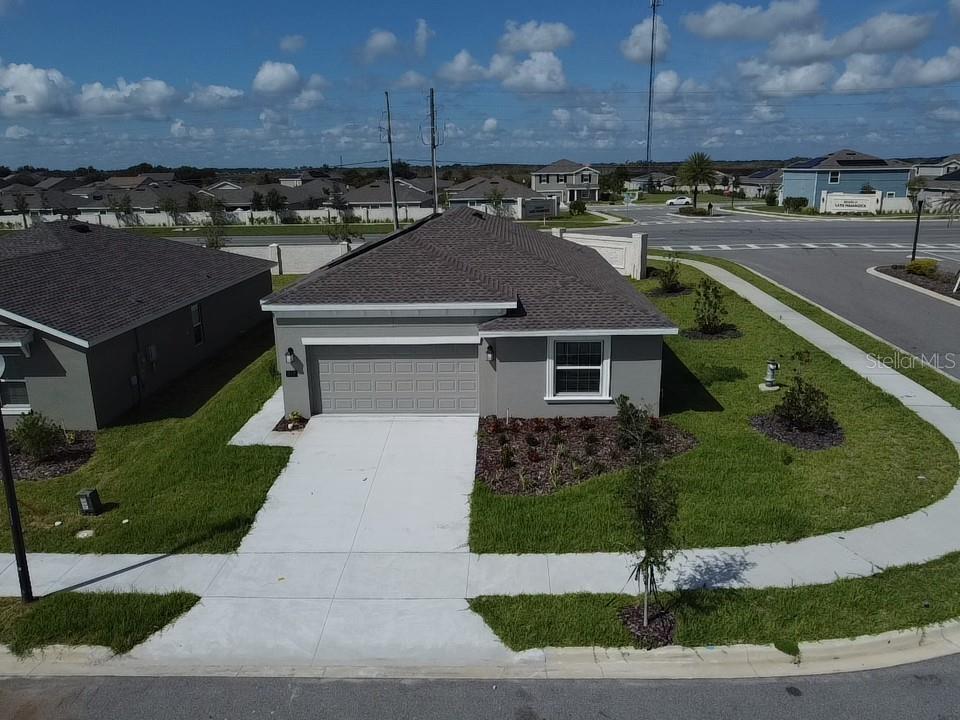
(826, 261)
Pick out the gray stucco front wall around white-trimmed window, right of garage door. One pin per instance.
(515, 383)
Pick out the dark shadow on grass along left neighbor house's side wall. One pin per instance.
(188, 393)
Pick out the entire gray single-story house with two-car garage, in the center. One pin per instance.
(467, 313)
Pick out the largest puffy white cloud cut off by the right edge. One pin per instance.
(873, 73)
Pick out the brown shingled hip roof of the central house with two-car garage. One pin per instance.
(466, 256)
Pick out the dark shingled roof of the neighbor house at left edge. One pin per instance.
(86, 283)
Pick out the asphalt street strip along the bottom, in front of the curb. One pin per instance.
(926, 690)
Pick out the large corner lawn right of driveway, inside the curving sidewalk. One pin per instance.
(737, 486)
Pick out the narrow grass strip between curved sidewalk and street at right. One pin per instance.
(936, 382)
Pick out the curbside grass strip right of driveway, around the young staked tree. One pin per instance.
(896, 599)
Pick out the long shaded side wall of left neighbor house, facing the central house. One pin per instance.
(164, 349)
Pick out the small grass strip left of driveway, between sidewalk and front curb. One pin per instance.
(118, 621)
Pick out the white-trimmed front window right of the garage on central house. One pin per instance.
(578, 368)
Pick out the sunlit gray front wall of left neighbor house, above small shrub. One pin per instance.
(58, 384)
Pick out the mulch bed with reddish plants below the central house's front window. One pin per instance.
(548, 454)
